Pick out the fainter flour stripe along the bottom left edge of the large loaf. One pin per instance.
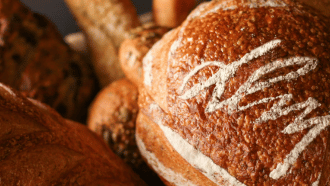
(167, 173)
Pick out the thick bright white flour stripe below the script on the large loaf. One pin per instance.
(193, 156)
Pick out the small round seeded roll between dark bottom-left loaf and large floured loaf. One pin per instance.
(112, 115)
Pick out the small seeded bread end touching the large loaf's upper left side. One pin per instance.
(134, 48)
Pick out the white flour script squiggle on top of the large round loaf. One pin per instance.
(252, 85)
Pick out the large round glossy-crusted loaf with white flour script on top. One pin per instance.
(238, 95)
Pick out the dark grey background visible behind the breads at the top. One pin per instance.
(57, 11)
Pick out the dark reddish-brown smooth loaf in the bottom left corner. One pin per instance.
(39, 147)
